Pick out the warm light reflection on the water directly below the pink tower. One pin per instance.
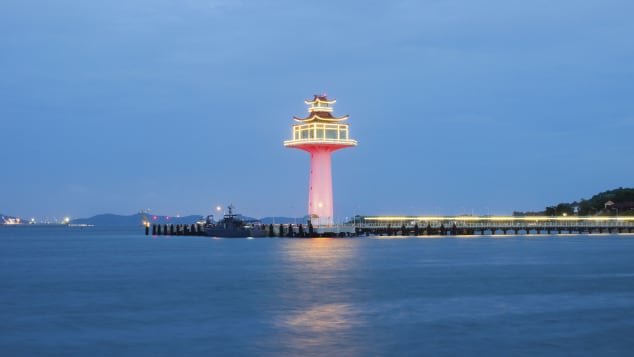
(320, 310)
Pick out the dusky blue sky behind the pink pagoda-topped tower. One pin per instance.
(458, 106)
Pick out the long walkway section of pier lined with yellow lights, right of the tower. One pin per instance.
(470, 225)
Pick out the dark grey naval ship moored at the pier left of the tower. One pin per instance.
(232, 225)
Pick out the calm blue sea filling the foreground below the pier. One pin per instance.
(91, 291)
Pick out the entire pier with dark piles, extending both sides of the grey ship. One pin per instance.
(430, 226)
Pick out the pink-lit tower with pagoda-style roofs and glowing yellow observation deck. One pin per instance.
(320, 134)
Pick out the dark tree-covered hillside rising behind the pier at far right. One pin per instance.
(617, 202)
